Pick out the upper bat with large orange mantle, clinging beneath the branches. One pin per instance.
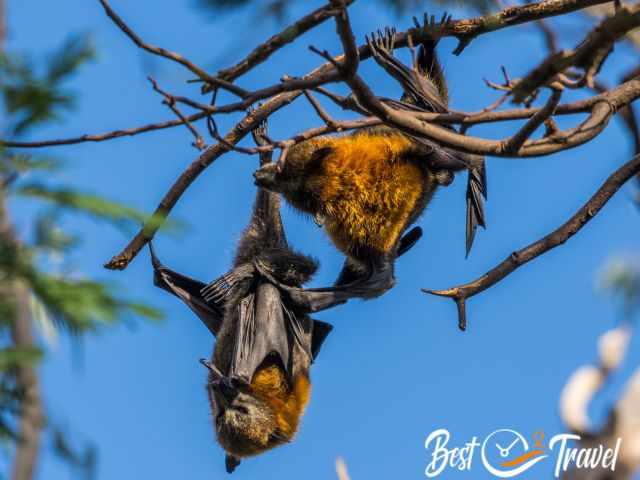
(367, 188)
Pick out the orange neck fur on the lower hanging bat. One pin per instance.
(270, 385)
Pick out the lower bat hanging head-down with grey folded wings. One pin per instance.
(258, 382)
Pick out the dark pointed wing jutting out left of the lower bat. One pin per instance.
(188, 290)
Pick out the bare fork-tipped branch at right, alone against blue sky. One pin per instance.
(461, 293)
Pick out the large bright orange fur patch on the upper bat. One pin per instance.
(369, 191)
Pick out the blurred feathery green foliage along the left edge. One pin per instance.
(34, 273)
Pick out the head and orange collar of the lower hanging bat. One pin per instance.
(251, 419)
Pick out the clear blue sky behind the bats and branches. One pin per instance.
(395, 368)
